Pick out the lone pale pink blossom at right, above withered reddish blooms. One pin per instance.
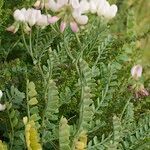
(136, 71)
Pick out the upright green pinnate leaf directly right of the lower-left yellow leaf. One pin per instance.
(50, 114)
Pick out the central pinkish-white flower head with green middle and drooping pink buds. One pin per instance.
(70, 12)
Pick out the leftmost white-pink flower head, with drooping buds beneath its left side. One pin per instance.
(28, 18)
